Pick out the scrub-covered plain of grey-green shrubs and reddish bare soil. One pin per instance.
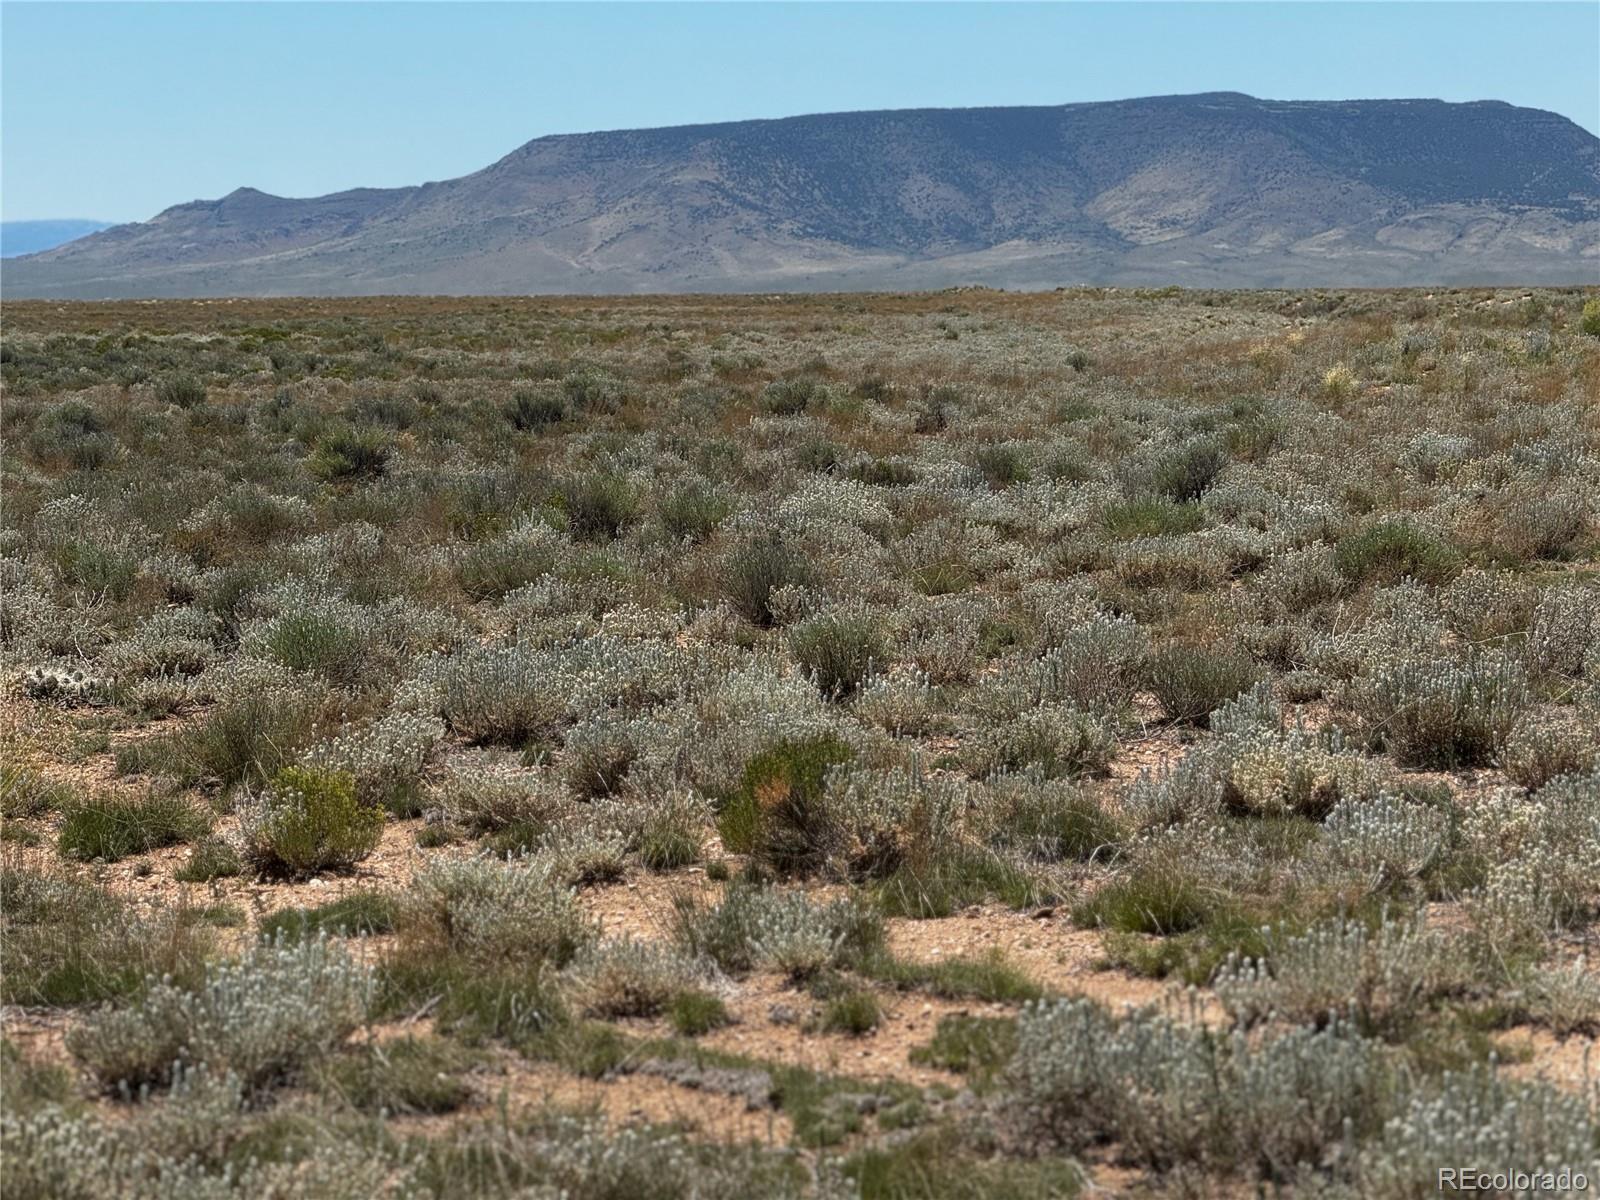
(905, 748)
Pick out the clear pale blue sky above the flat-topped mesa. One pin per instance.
(119, 111)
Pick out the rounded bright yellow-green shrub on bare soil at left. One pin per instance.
(308, 822)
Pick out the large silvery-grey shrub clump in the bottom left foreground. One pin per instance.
(262, 1018)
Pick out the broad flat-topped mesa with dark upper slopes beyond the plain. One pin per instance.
(1207, 191)
